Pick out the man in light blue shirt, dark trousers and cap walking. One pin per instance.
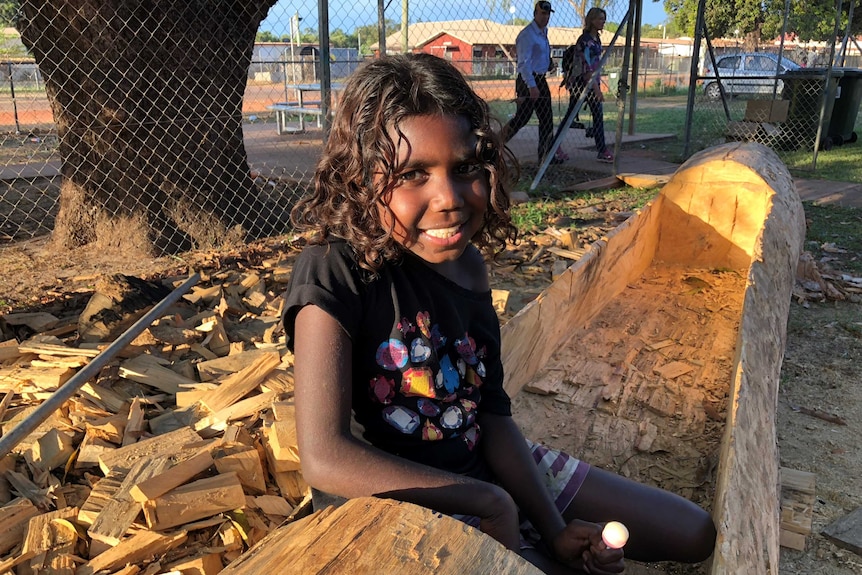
(531, 87)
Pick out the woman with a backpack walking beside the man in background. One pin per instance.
(588, 55)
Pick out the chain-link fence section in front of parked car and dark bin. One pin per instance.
(799, 98)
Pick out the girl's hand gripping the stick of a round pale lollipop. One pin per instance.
(580, 545)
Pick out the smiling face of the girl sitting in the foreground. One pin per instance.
(441, 191)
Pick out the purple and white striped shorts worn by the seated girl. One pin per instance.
(563, 475)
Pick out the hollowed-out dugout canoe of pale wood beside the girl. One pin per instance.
(729, 211)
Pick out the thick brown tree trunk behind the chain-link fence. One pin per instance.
(147, 98)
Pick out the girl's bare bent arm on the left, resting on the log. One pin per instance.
(336, 462)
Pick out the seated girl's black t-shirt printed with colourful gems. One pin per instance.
(426, 353)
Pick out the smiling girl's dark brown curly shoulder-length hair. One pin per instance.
(377, 97)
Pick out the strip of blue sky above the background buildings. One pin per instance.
(348, 14)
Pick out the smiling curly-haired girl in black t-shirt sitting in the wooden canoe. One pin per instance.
(390, 318)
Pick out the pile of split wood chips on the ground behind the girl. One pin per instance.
(181, 454)
